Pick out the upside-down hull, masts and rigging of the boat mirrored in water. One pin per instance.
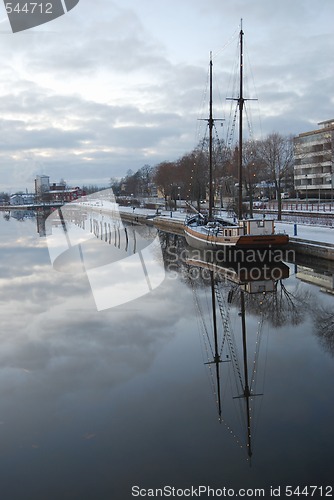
(231, 282)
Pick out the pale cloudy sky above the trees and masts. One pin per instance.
(115, 85)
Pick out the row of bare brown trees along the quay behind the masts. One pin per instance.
(269, 161)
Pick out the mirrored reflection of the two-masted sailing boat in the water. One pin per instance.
(231, 283)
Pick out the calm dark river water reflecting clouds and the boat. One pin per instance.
(119, 402)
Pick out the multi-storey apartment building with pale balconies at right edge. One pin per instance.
(314, 161)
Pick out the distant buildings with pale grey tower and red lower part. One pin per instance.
(46, 192)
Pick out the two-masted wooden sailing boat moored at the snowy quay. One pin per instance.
(212, 232)
